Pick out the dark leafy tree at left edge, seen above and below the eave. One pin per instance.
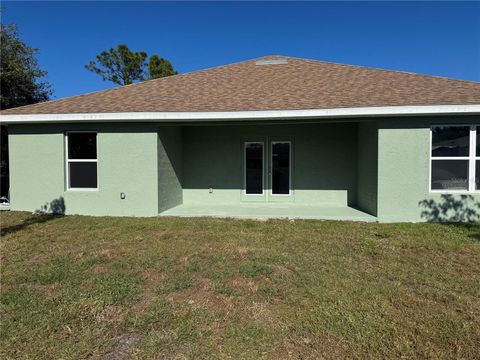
(20, 84)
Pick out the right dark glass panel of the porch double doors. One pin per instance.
(281, 168)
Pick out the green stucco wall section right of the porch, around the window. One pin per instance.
(403, 172)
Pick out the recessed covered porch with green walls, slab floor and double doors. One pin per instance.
(289, 170)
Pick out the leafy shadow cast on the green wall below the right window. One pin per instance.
(460, 211)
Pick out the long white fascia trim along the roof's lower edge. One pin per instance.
(244, 115)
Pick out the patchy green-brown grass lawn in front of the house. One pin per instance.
(117, 288)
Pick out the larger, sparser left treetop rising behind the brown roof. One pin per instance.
(119, 65)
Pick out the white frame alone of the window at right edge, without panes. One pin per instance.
(471, 158)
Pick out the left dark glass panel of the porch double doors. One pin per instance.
(254, 168)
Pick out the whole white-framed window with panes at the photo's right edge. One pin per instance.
(454, 154)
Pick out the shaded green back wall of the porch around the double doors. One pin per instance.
(324, 162)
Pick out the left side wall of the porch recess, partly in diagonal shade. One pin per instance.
(170, 151)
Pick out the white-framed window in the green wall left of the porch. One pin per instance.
(81, 164)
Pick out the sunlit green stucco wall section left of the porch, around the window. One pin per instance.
(127, 162)
